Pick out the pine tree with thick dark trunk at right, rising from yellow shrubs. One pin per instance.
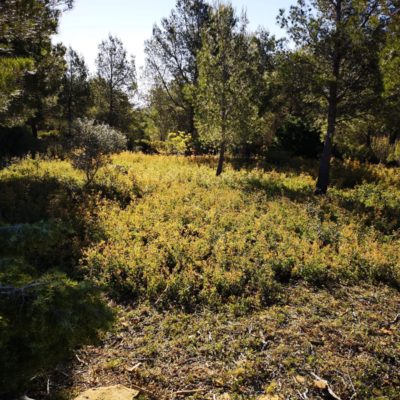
(341, 39)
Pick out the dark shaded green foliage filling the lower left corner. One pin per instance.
(42, 322)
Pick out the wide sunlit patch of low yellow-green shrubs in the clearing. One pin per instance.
(194, 240)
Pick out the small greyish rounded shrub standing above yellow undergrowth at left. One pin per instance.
(92, 146)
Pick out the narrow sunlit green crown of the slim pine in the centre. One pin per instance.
(227, 110)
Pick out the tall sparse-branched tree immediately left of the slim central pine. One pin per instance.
(172, 65)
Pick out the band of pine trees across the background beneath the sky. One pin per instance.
(330, 88)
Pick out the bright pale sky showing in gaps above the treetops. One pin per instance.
(90, 21)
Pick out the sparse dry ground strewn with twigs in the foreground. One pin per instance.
(348, 337)
